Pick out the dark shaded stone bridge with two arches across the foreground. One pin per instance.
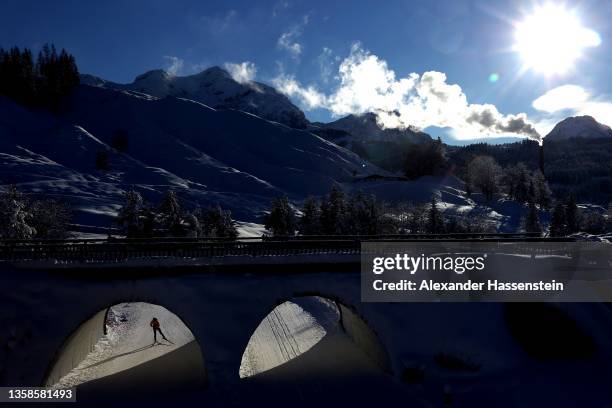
(424, 351)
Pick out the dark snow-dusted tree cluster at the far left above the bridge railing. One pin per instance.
(25, 218)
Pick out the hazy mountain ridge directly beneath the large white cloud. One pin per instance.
(365, 128)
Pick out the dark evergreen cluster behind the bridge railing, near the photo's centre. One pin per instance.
(335, 214)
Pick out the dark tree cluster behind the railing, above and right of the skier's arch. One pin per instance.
(139, 219)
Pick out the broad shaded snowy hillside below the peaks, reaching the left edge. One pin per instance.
(207, 156)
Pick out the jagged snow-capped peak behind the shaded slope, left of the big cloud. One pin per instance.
(216, 88)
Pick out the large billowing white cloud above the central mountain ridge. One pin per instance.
(367, 84)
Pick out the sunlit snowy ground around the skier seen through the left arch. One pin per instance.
(128, 342)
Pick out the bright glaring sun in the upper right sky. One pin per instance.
(552, 38)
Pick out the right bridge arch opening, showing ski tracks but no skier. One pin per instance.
(313, 336)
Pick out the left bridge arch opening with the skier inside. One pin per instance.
(118, 349)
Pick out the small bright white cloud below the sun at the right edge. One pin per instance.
(577, 100)
